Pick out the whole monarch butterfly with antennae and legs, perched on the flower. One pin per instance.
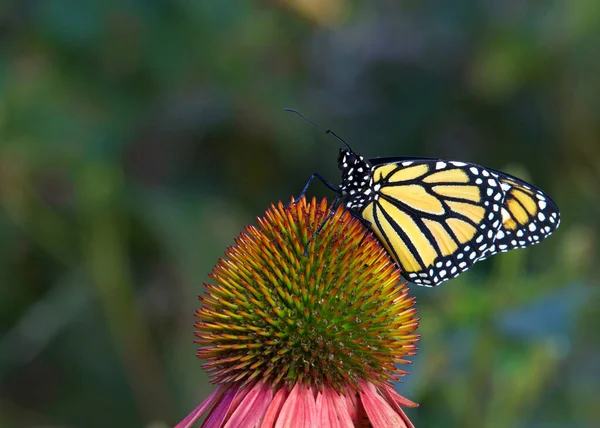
(437, 218)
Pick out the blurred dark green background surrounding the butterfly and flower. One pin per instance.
(137, 138)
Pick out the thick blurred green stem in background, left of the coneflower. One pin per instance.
(104, 250)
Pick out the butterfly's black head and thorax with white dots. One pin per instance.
(357, 180)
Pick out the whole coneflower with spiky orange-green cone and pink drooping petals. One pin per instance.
(296, 340)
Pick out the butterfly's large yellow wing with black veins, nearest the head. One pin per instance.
(436, 218)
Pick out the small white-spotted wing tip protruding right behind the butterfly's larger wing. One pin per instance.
(528, 215)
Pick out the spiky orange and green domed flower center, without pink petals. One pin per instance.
(337, 315)
